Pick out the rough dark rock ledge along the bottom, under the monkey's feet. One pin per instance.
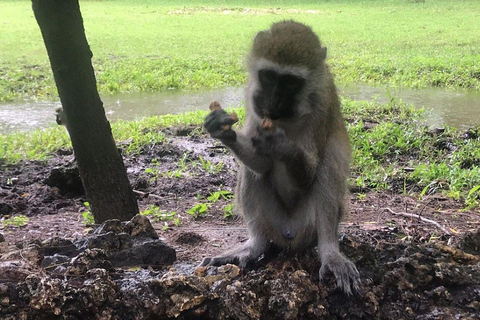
(407, 281)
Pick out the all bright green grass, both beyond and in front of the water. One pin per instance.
(144, 46)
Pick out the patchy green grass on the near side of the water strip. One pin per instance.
(392, 149)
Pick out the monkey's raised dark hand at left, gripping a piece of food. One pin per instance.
(218, 123)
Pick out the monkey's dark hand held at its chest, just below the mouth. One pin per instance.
(269, 143)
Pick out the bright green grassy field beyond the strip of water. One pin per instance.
(150, 45)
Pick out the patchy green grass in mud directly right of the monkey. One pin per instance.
(396, 152)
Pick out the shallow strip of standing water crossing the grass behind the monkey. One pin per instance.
(454, 108)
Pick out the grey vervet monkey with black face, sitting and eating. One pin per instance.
(294, 152)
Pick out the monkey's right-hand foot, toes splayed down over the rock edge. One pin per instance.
(344, 270)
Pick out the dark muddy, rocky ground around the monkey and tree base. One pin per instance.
(412, 268)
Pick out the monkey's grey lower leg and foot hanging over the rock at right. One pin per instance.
(344, 270)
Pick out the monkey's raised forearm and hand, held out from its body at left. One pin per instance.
(238, 142)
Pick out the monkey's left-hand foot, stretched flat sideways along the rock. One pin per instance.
(241, 255)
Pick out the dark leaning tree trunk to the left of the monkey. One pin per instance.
(100, 164)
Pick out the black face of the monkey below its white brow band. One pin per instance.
(278, 94)
